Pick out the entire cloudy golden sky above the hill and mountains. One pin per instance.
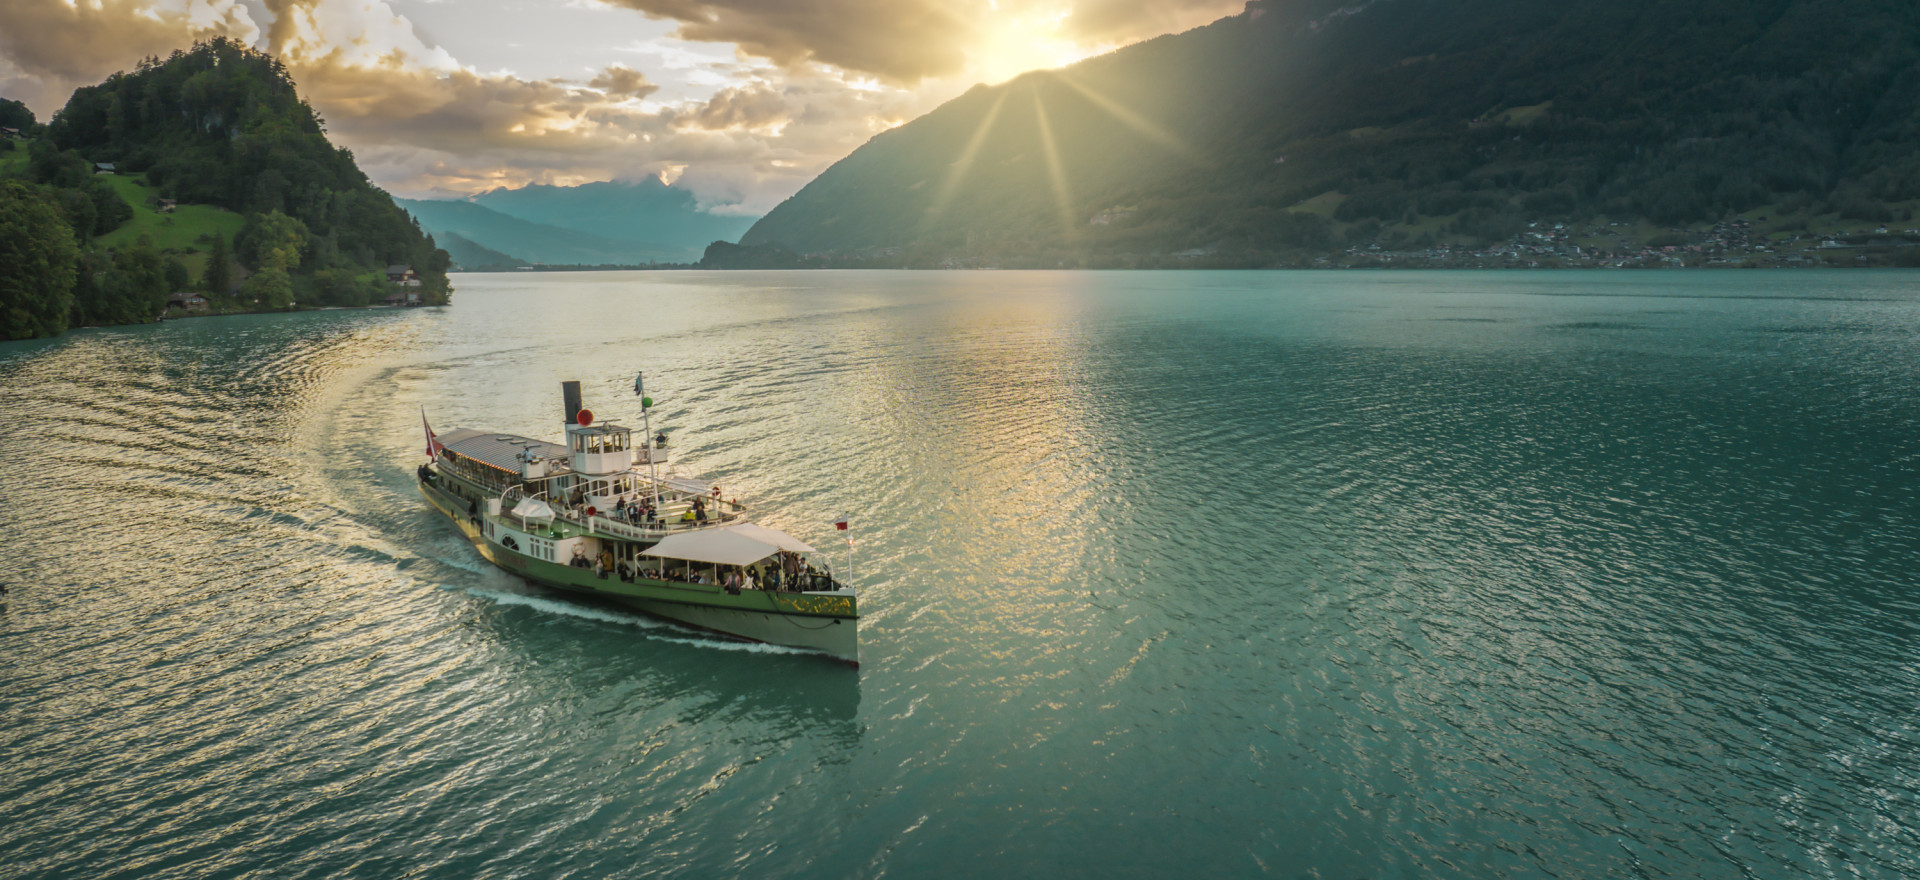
(740, 101)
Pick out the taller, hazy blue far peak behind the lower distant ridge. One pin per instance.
(648, 212)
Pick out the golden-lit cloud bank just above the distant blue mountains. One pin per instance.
(431, 134)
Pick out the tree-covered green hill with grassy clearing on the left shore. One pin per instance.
(222, 182)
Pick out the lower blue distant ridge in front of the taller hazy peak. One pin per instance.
(533, 241)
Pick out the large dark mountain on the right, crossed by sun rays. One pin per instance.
(1303, 128)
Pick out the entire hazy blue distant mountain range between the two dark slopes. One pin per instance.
(577, 226)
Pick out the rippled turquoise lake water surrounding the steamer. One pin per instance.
(1333, 575)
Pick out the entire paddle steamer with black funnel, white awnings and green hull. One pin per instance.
(594, 516)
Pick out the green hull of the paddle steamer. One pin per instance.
(823, 623)
